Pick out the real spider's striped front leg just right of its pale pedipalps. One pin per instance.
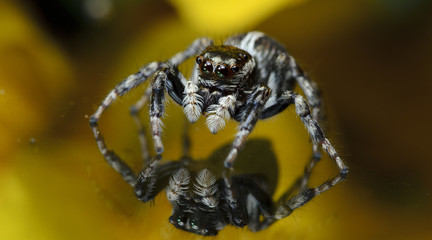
(249, 117)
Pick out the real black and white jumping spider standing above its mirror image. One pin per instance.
(248, 78)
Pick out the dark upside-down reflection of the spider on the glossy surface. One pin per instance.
(204, 200)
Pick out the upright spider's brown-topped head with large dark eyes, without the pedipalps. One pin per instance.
(224, 66)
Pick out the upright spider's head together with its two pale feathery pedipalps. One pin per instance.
(221, 81)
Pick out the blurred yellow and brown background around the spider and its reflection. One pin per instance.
(58, 60)
